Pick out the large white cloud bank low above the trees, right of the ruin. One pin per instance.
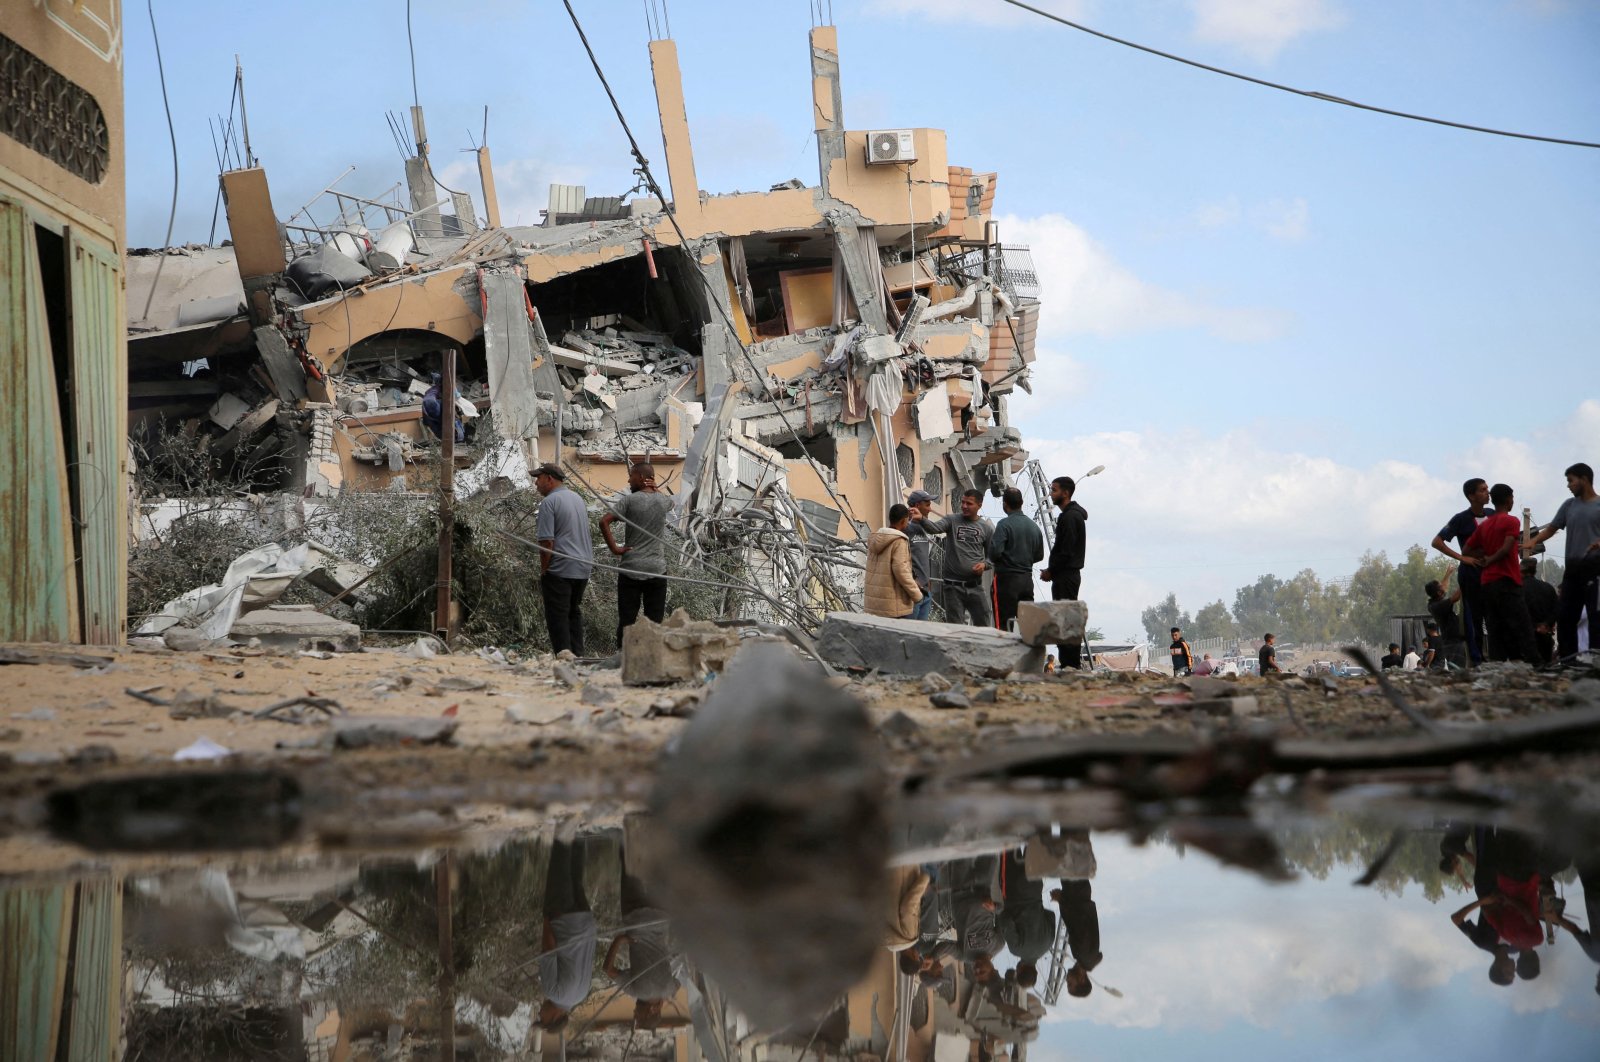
(1202, 514)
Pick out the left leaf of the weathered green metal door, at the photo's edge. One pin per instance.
(38, 578)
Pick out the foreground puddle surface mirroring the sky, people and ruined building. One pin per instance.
(1065, 944)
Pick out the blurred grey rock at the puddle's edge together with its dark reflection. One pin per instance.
(770, 823)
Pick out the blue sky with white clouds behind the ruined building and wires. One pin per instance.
(1287, 329)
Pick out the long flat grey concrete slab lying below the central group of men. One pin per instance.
(914, 647)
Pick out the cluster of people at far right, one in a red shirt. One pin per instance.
(1506, 612)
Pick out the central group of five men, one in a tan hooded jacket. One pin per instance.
(978, 554)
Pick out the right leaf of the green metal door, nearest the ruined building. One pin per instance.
(102, 407)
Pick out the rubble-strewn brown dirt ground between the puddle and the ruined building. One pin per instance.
(63, 724)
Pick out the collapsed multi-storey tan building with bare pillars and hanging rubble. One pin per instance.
(793, 361)
